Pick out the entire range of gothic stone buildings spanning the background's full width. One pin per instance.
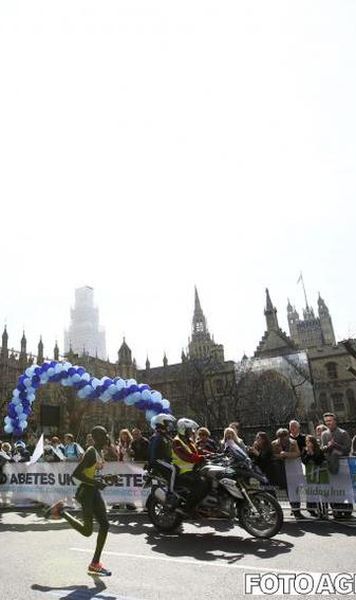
(287, 376)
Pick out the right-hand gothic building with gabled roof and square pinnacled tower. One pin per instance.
(312, 351)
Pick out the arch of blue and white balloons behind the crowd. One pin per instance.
(88, 388)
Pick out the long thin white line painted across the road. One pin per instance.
(198, 563)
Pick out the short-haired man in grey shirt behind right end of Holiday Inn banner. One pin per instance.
(336, 443)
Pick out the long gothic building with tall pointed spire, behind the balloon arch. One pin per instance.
(199, 386)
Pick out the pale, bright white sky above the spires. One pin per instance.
(150, 146)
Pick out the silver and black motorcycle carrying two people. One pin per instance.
(236, 493)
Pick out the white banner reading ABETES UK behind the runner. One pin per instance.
(50, 482)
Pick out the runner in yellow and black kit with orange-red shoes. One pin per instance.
(88, 495)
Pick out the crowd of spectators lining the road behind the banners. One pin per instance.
(322, 449)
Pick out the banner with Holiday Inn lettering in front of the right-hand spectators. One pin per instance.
(317, 484)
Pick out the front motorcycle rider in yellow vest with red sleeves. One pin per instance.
(185, 457)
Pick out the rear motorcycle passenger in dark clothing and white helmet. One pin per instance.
(160, 447)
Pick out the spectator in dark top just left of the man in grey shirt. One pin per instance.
(313, 458)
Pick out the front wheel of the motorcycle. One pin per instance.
(265, 519)
